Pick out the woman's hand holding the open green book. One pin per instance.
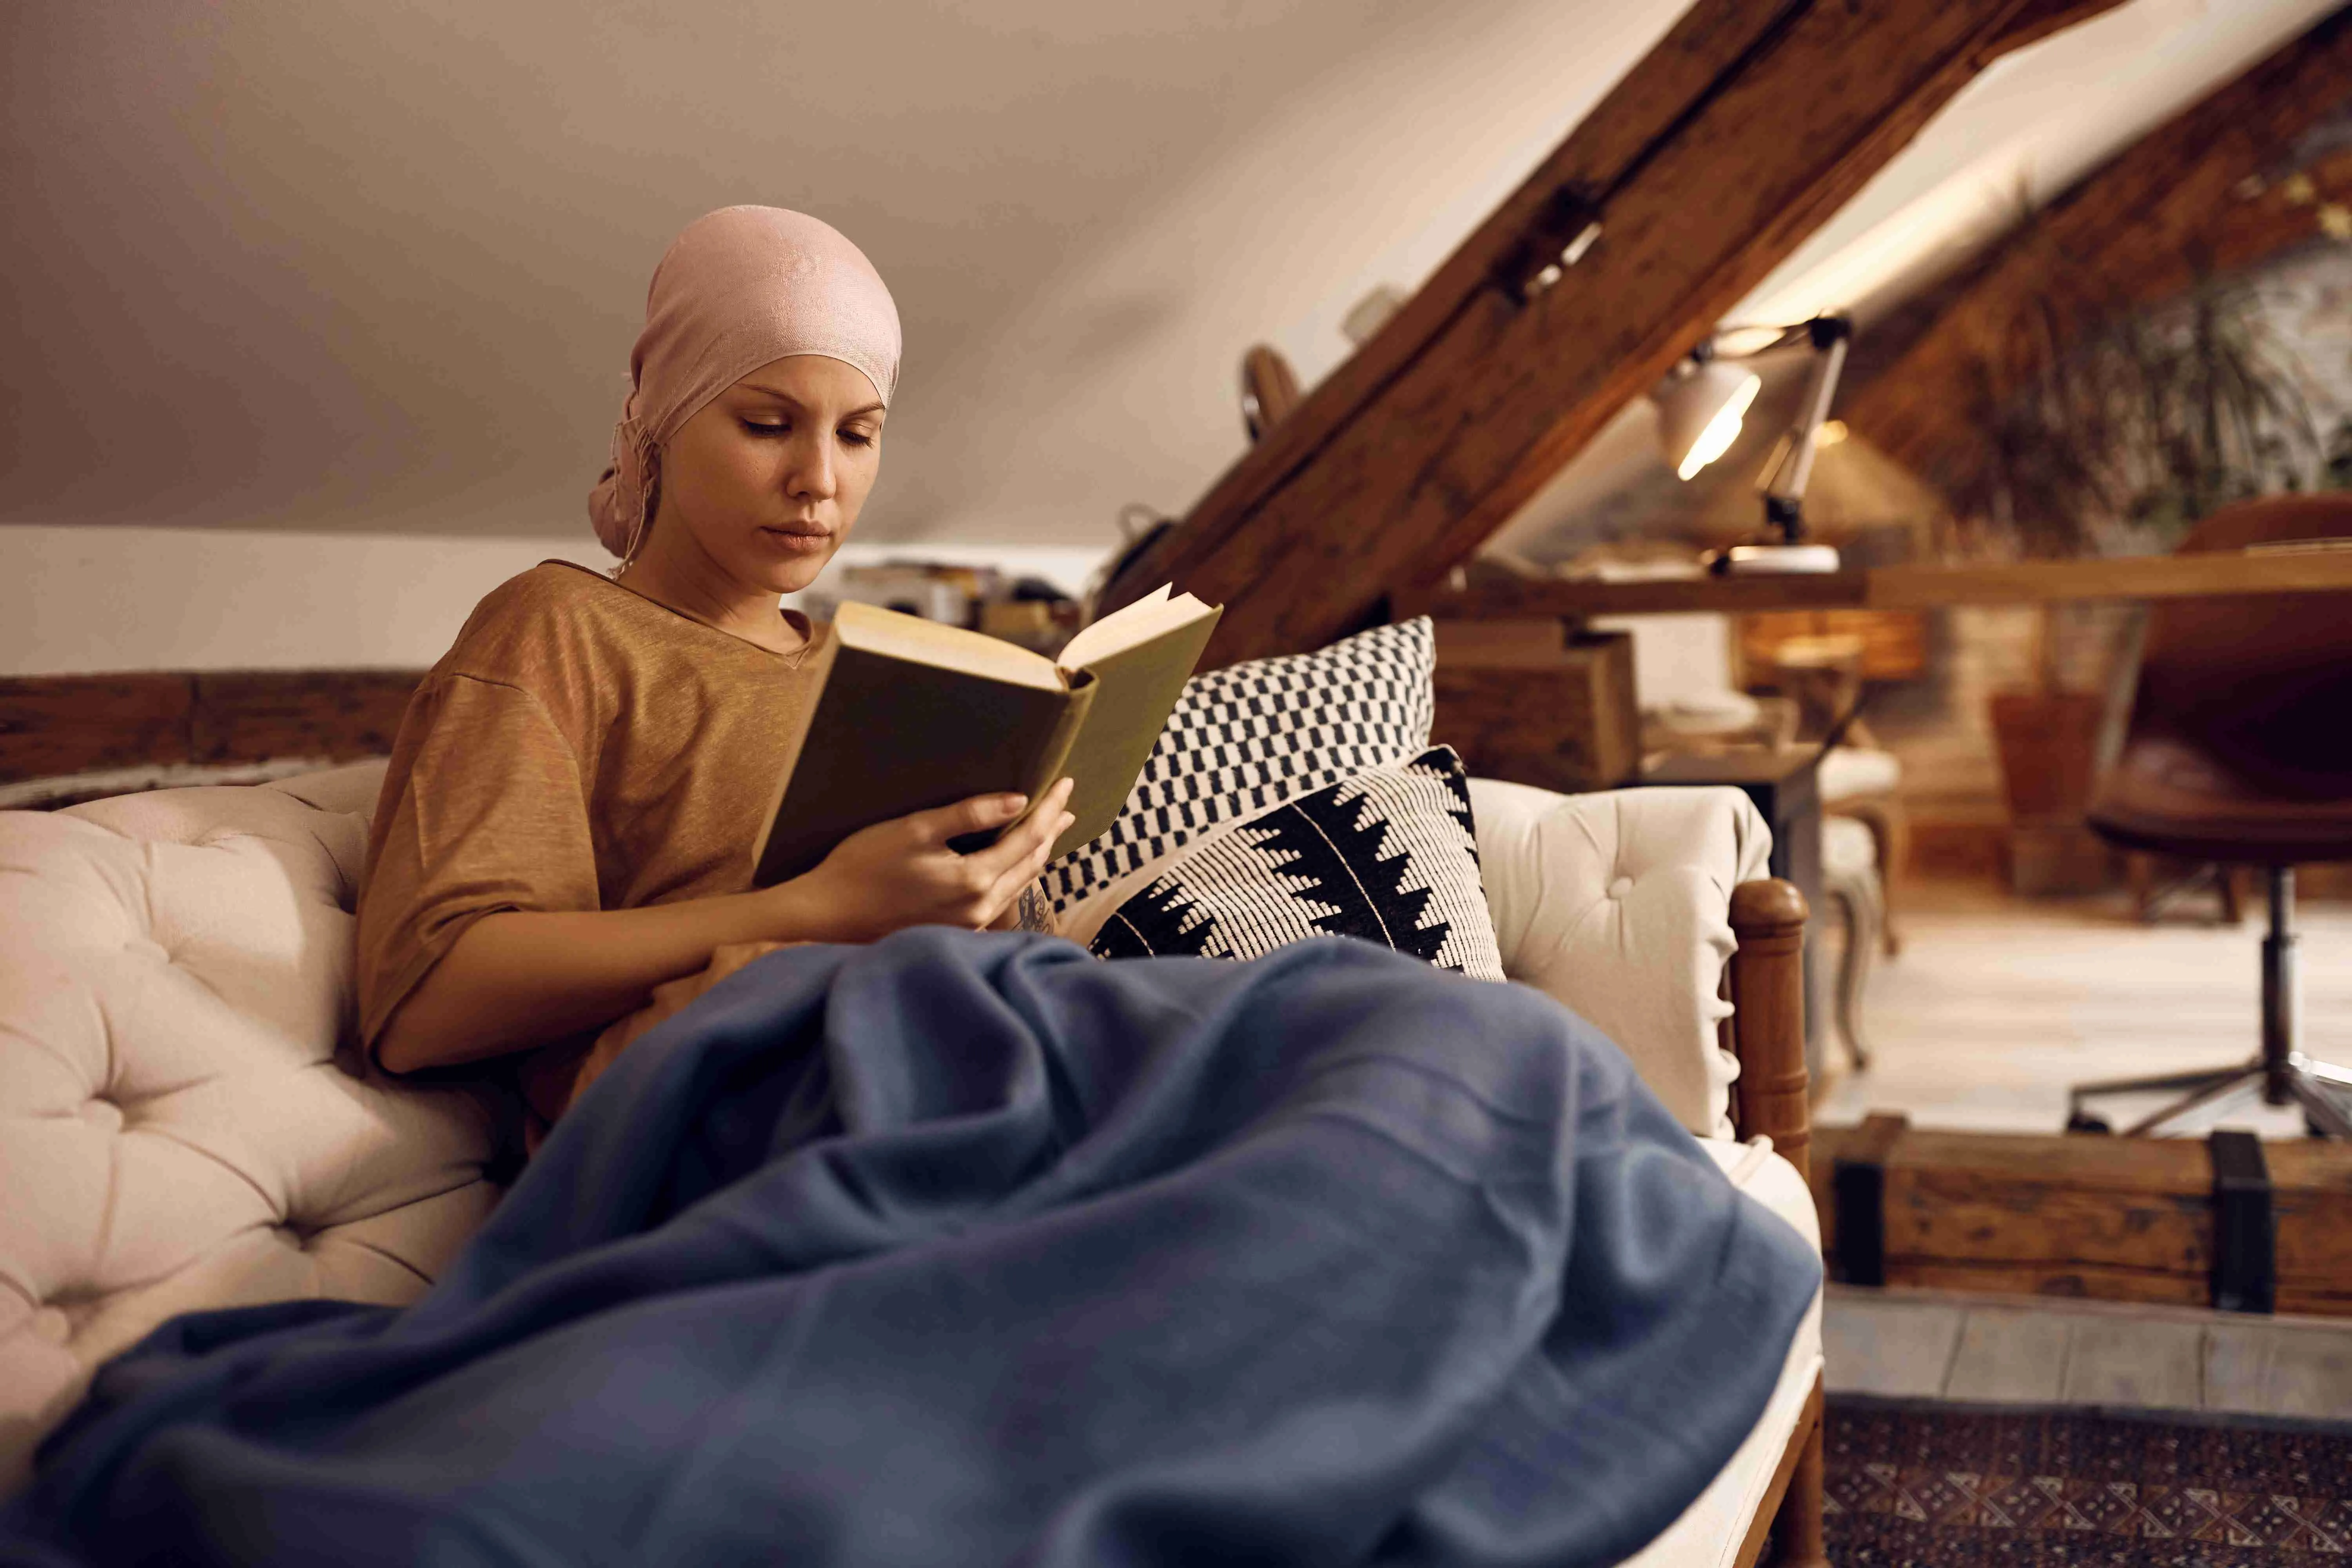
(902, 873)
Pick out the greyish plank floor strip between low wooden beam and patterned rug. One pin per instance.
(2029, 1351)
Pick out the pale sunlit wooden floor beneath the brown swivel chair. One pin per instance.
(1998, 1005)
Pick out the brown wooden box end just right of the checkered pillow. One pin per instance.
(1535, 704)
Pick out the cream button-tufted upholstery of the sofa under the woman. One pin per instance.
(182, 1127)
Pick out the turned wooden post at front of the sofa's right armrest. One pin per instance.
(1765, 1028)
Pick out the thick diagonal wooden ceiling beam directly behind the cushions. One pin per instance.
(1718, 154)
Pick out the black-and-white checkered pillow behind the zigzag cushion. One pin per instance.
(1259, 735)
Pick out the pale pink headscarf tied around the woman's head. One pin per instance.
(737, 290)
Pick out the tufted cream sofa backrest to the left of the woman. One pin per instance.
(178, 1123)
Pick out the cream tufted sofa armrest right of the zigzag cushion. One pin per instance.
(1619, 906)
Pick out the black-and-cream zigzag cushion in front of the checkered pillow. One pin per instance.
(1389, 857)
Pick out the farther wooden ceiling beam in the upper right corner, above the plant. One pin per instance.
(2203, 192)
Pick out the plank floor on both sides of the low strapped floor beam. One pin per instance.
(1996, 1007)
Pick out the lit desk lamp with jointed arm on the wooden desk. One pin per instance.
(1702, 406)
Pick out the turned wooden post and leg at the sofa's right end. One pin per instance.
(1765, 1033)
